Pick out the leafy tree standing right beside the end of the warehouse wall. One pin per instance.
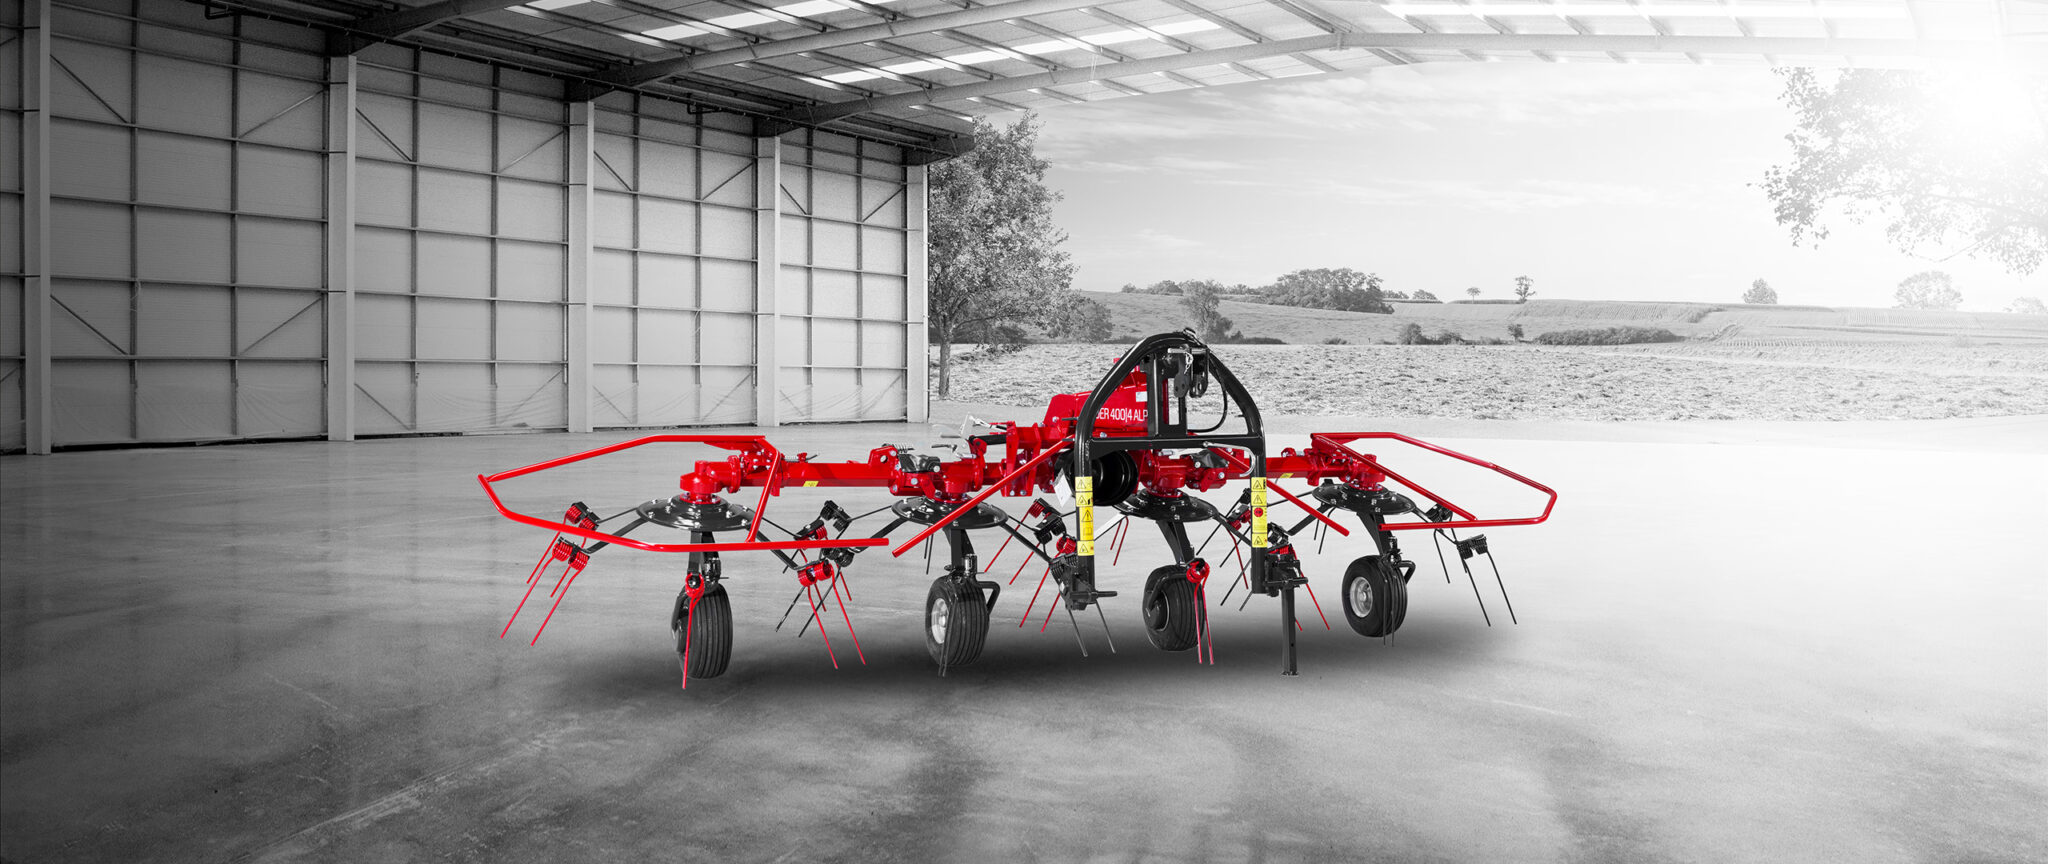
(994, 251)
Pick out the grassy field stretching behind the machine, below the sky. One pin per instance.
(1738, 363)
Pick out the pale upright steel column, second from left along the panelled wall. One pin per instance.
(341, 249)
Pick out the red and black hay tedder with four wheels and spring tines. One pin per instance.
(1125, 445)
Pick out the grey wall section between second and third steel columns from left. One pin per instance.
(462, 247)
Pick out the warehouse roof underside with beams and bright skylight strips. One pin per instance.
(914, 71)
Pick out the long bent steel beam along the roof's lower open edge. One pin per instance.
(1398, 42)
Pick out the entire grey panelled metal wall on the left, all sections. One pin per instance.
(191, 277)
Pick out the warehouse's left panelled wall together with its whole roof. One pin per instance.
(245, 220)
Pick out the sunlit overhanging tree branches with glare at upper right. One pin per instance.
(1953, 163)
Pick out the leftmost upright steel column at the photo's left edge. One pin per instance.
(36, 226)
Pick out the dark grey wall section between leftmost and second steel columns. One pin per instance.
(185, 228)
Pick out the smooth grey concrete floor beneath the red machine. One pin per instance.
(1785, 650)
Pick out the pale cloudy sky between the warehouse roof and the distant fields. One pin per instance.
(1601, 181)
